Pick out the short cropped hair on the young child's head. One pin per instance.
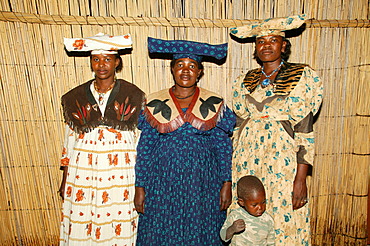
(248, 185)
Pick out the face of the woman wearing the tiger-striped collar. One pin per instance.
(269, 48)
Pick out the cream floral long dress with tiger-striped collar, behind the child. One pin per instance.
(276, 134)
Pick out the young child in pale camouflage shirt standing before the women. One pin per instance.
(249, 224)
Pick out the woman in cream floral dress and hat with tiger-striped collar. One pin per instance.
(275, 140)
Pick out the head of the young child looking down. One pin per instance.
(251, 195)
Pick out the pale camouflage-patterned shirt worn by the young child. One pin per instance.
(258, 230)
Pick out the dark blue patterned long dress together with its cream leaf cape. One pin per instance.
(183, 158)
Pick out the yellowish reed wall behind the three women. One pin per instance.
(35, 71)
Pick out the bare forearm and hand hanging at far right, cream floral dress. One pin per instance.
(299, 196)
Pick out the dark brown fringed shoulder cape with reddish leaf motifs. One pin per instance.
(82, 113)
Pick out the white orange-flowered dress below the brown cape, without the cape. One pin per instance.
(98, 204)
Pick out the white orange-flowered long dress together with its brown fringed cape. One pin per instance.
(100, 153)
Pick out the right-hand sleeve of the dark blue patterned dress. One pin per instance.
(222, 144)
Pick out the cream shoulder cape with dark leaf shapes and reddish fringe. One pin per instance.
(163, 112)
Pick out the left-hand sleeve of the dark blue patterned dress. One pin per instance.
(147, 142)
